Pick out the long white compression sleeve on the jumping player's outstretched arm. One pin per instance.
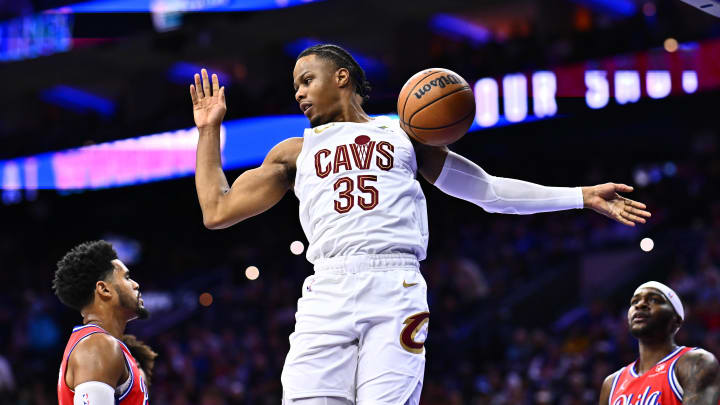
(464, 179)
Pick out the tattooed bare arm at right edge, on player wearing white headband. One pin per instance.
(699, 375)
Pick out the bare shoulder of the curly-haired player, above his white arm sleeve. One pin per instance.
(96, 358)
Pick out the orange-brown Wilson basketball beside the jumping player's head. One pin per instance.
(436, 107)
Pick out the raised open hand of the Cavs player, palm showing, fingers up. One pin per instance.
(208, 104)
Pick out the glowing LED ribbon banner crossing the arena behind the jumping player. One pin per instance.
(524, 97)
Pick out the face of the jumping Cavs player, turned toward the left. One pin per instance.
(316, 89)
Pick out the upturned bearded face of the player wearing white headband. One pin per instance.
(651, 315)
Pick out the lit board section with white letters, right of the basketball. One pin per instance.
(622, 79)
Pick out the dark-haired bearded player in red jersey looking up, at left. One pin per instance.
(97, 368)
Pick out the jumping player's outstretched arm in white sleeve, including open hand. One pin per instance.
(461, 178)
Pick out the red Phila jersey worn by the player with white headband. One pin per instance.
(657, 386)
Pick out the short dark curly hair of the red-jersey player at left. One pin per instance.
(79, 270)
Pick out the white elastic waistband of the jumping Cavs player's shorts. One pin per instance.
(362, 263)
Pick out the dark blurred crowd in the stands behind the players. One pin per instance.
(490, 341)
